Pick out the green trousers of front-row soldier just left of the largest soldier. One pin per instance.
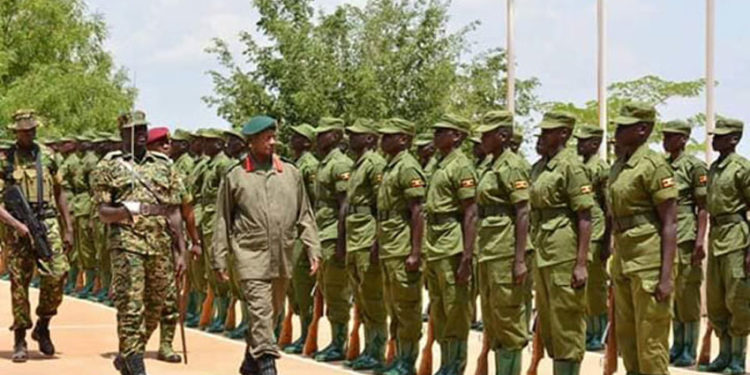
(561, 312)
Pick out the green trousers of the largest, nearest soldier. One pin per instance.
(642, 322)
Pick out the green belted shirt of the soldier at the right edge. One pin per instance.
(728, 195)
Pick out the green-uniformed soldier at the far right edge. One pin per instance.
(727, 287)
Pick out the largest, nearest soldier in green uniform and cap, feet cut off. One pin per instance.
(641, 205)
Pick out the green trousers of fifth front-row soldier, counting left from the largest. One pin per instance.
(403, 295)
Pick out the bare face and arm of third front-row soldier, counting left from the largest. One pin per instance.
(496, 142)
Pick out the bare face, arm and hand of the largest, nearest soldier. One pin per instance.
(627, 140)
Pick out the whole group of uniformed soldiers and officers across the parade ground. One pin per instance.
(396, 212)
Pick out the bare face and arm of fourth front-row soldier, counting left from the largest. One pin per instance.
(447, 140)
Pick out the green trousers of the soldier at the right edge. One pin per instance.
(728, 294)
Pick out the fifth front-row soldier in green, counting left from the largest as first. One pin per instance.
(401, 228)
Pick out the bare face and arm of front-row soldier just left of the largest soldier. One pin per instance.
(551, 143)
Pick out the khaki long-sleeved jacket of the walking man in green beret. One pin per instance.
(260, 214)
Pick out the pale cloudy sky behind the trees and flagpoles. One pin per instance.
(161, 44)
